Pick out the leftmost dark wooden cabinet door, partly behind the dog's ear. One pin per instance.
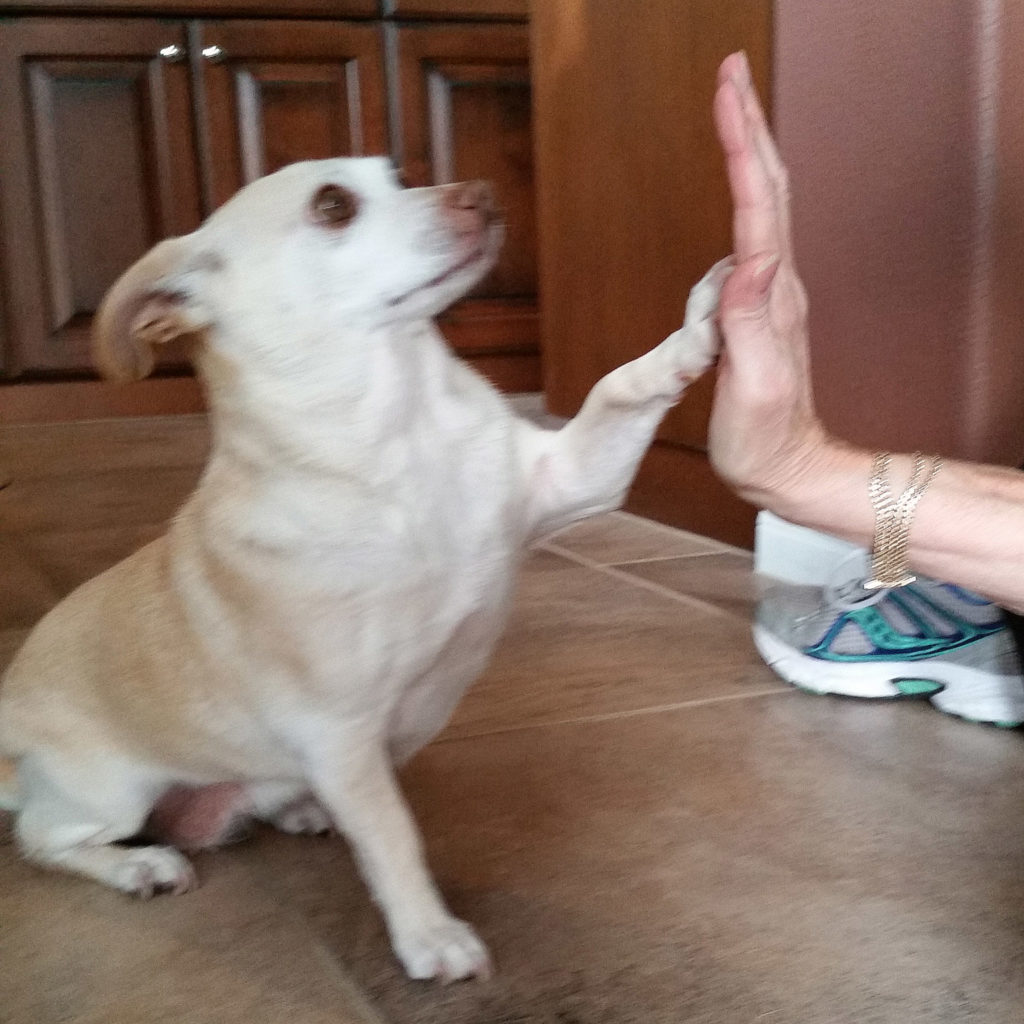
(97, 166)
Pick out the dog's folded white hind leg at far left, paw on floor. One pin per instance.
(72, 817)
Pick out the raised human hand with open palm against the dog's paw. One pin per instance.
(764, 434)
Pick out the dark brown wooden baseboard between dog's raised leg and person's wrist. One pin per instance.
(677, 486)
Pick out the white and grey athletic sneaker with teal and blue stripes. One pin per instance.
(928, 639)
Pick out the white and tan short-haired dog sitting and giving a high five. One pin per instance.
(345, 569)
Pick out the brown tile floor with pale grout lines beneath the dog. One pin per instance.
(641, 821)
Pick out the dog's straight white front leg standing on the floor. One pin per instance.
(357, 784)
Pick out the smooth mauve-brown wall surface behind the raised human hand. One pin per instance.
(898, 120)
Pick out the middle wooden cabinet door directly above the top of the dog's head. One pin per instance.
(277, 93)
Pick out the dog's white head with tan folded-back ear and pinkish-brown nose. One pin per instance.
(298, 258)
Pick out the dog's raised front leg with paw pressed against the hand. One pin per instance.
(588, 466)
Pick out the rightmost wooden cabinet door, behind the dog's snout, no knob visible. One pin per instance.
(465, 113)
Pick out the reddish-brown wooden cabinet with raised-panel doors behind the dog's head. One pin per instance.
(119, 132)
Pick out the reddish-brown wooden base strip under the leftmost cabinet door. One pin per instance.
(99, 401)
